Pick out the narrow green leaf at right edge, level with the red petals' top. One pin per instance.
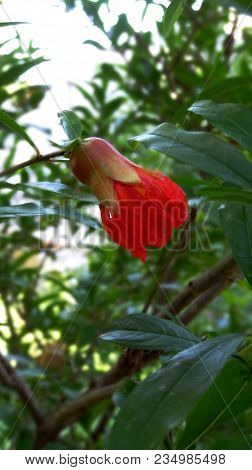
(226, 193)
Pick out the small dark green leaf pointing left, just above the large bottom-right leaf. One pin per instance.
(147, 332)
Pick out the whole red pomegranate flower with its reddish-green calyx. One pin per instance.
(139, 208)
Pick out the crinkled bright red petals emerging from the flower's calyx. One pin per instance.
(148, 212)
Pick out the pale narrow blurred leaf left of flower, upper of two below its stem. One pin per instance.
(53, 188)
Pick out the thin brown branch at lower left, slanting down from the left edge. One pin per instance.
(9, 378)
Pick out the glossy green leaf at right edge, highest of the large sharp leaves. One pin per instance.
(233, 119)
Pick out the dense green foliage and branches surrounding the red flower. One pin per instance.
(178, 99)
